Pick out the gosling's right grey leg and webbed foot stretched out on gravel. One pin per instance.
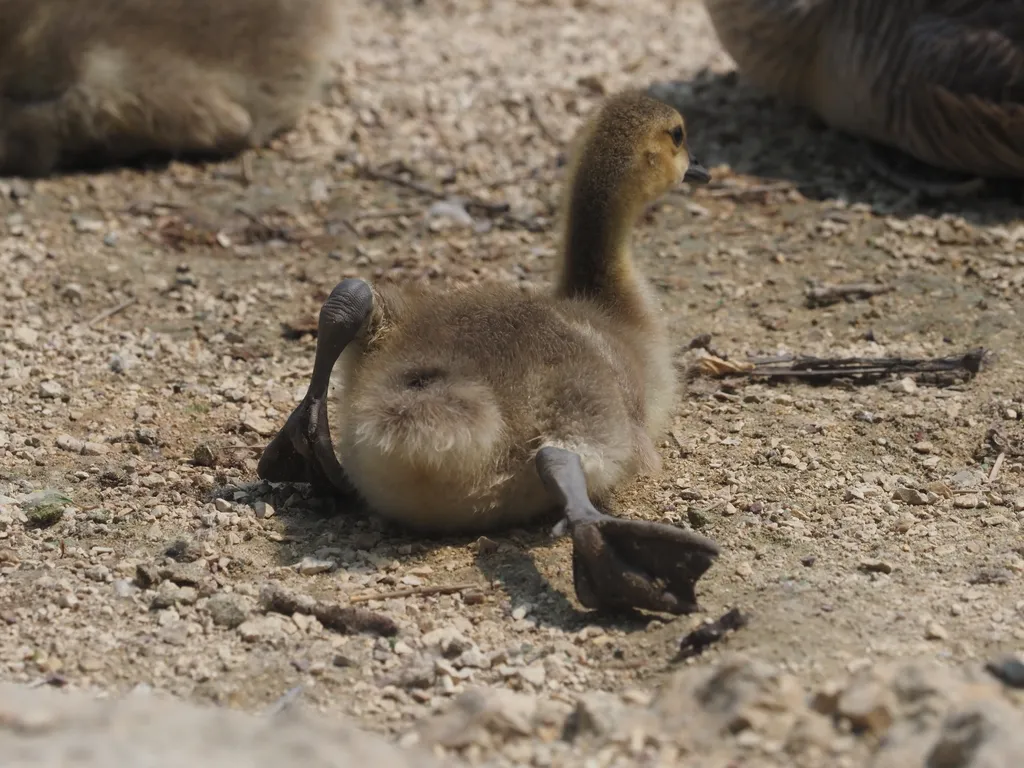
(621, 565)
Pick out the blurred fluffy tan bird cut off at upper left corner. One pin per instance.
(109, 81)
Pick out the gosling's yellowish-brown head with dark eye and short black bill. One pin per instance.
(636, 149)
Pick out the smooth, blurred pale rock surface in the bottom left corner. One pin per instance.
(46, 728)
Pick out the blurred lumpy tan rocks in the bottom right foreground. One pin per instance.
(745, 712)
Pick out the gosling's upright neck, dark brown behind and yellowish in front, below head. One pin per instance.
(596, 251)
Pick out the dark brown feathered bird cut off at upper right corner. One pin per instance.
(942, 80)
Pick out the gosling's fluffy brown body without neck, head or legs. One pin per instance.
(444, 438)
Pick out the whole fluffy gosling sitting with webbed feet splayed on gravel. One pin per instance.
(484, 408)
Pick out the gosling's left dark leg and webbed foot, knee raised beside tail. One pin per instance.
(303, 451)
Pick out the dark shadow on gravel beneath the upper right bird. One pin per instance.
(733, 123)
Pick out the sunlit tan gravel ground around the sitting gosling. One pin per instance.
(155, 331)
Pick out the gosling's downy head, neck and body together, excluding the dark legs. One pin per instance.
(447, 399)
